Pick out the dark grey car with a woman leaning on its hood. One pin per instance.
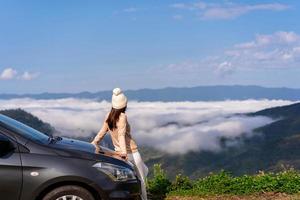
(34, 166)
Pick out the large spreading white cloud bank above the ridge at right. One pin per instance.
(279, 50)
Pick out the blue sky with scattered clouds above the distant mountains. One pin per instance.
(85, 45)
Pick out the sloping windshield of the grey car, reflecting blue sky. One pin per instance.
(23, 130)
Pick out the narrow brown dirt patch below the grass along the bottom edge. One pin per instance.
(266, 196)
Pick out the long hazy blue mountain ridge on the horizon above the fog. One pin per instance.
(197, 93)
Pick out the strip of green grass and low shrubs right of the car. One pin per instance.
(223, 183)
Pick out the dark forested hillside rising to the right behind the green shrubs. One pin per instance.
(274, 147)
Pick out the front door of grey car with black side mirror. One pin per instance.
(10, 169)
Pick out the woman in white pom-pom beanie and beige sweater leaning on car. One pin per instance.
(117, 125)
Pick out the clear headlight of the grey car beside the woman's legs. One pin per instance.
(117, 173)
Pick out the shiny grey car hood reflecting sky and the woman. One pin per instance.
(84, 150)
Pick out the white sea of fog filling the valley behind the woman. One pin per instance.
(174, 127)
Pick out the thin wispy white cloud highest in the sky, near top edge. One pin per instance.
(227, 10)
